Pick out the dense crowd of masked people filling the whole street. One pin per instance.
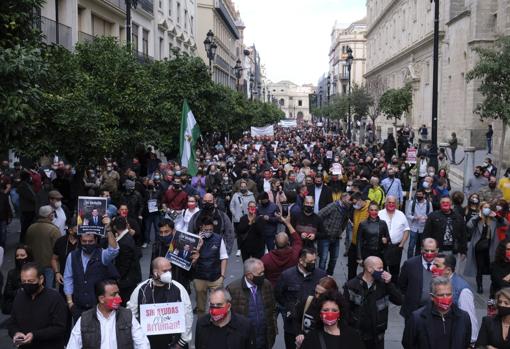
(283, 204)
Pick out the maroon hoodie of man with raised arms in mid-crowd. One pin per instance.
(280, 259)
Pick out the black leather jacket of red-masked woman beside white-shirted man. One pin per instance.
(370, 234)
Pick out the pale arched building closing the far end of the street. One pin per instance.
(292, 99)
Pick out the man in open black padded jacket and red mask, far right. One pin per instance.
(447, 227)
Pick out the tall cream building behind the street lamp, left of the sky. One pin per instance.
(221, 17)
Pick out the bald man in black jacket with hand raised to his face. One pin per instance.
(369, 294)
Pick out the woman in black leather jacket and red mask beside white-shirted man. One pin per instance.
(373, 235)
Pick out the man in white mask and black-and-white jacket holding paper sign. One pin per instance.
(159, 290)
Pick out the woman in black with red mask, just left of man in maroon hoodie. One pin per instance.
(250, 234)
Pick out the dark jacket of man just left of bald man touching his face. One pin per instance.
(293, 287)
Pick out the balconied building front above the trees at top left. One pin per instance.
(159, 28)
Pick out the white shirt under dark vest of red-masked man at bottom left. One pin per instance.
(108, 333)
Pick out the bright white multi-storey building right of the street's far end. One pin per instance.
(352, 36)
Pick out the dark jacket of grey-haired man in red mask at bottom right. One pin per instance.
(419, 331)
